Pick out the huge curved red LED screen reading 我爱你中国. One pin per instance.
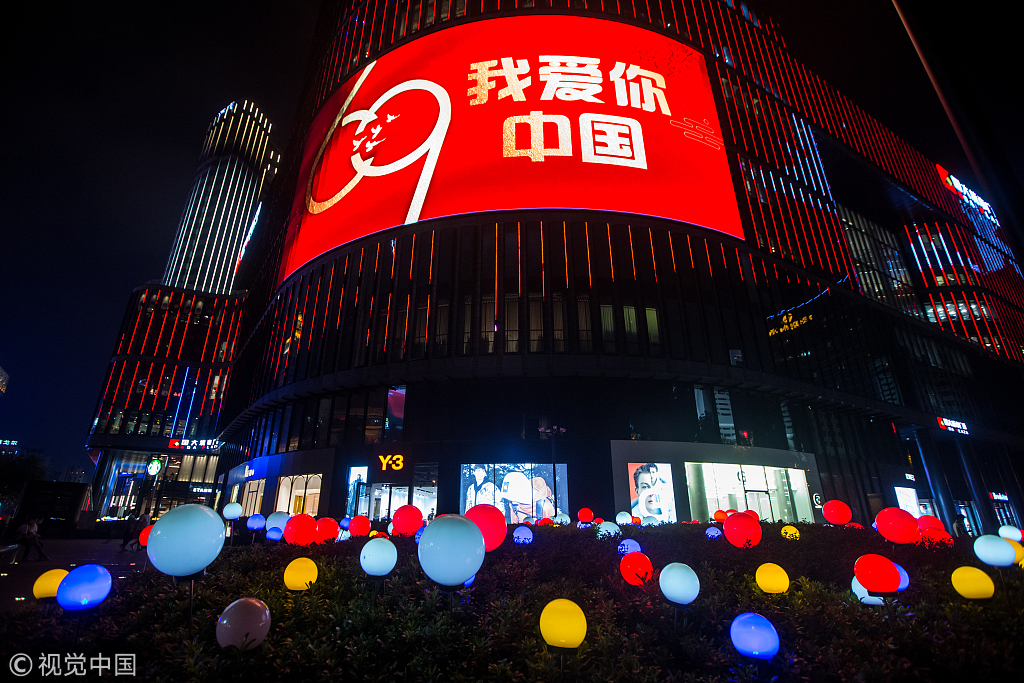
(516, 113)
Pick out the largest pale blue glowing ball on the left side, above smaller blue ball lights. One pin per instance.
(186, 540)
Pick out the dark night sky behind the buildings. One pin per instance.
(105, 111)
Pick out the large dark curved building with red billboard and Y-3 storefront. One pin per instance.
(628, 257)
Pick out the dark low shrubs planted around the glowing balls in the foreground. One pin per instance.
(344, 629)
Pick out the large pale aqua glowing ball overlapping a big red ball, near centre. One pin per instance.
(452, 550)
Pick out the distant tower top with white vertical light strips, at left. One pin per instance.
(237, 164)
